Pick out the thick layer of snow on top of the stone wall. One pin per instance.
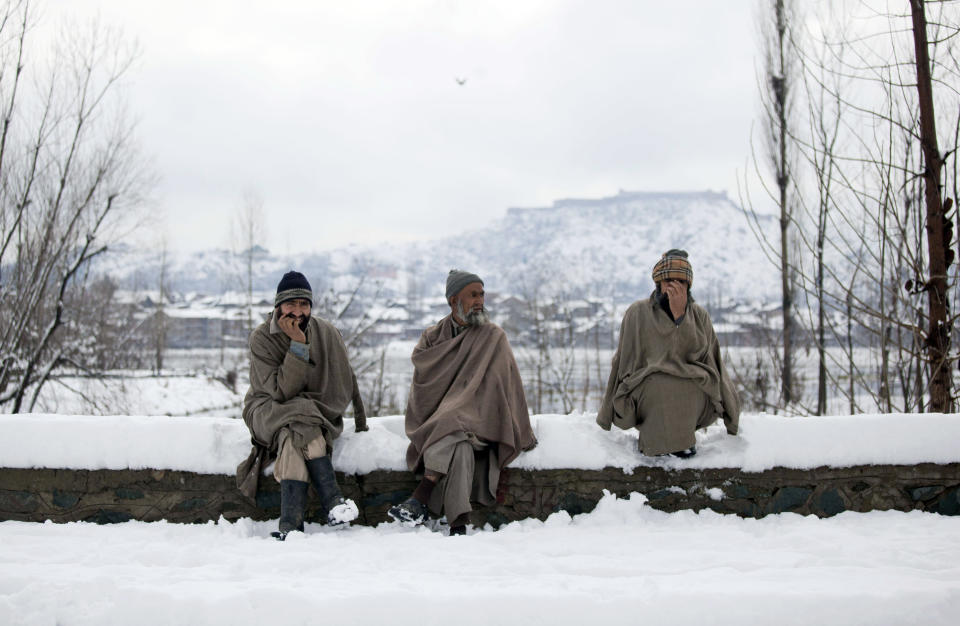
(216, 445)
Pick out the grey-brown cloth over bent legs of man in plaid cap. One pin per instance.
(669, 411)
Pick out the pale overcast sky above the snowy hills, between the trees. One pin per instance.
(347, 118)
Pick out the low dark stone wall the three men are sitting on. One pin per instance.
(106, 496)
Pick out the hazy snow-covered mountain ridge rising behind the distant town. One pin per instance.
(602, 247)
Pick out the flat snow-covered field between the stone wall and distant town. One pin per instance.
(193, 382)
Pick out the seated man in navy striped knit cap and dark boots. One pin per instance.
(301, 382)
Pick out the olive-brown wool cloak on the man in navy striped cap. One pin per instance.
(308, 397)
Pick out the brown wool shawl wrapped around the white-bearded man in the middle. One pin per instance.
(469, 383)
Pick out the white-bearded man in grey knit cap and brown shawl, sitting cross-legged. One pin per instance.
(466, 412)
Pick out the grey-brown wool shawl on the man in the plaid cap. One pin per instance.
(651, 342)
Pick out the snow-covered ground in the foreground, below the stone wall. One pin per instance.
(625, 563)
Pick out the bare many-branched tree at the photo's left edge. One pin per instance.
(69, 177)
